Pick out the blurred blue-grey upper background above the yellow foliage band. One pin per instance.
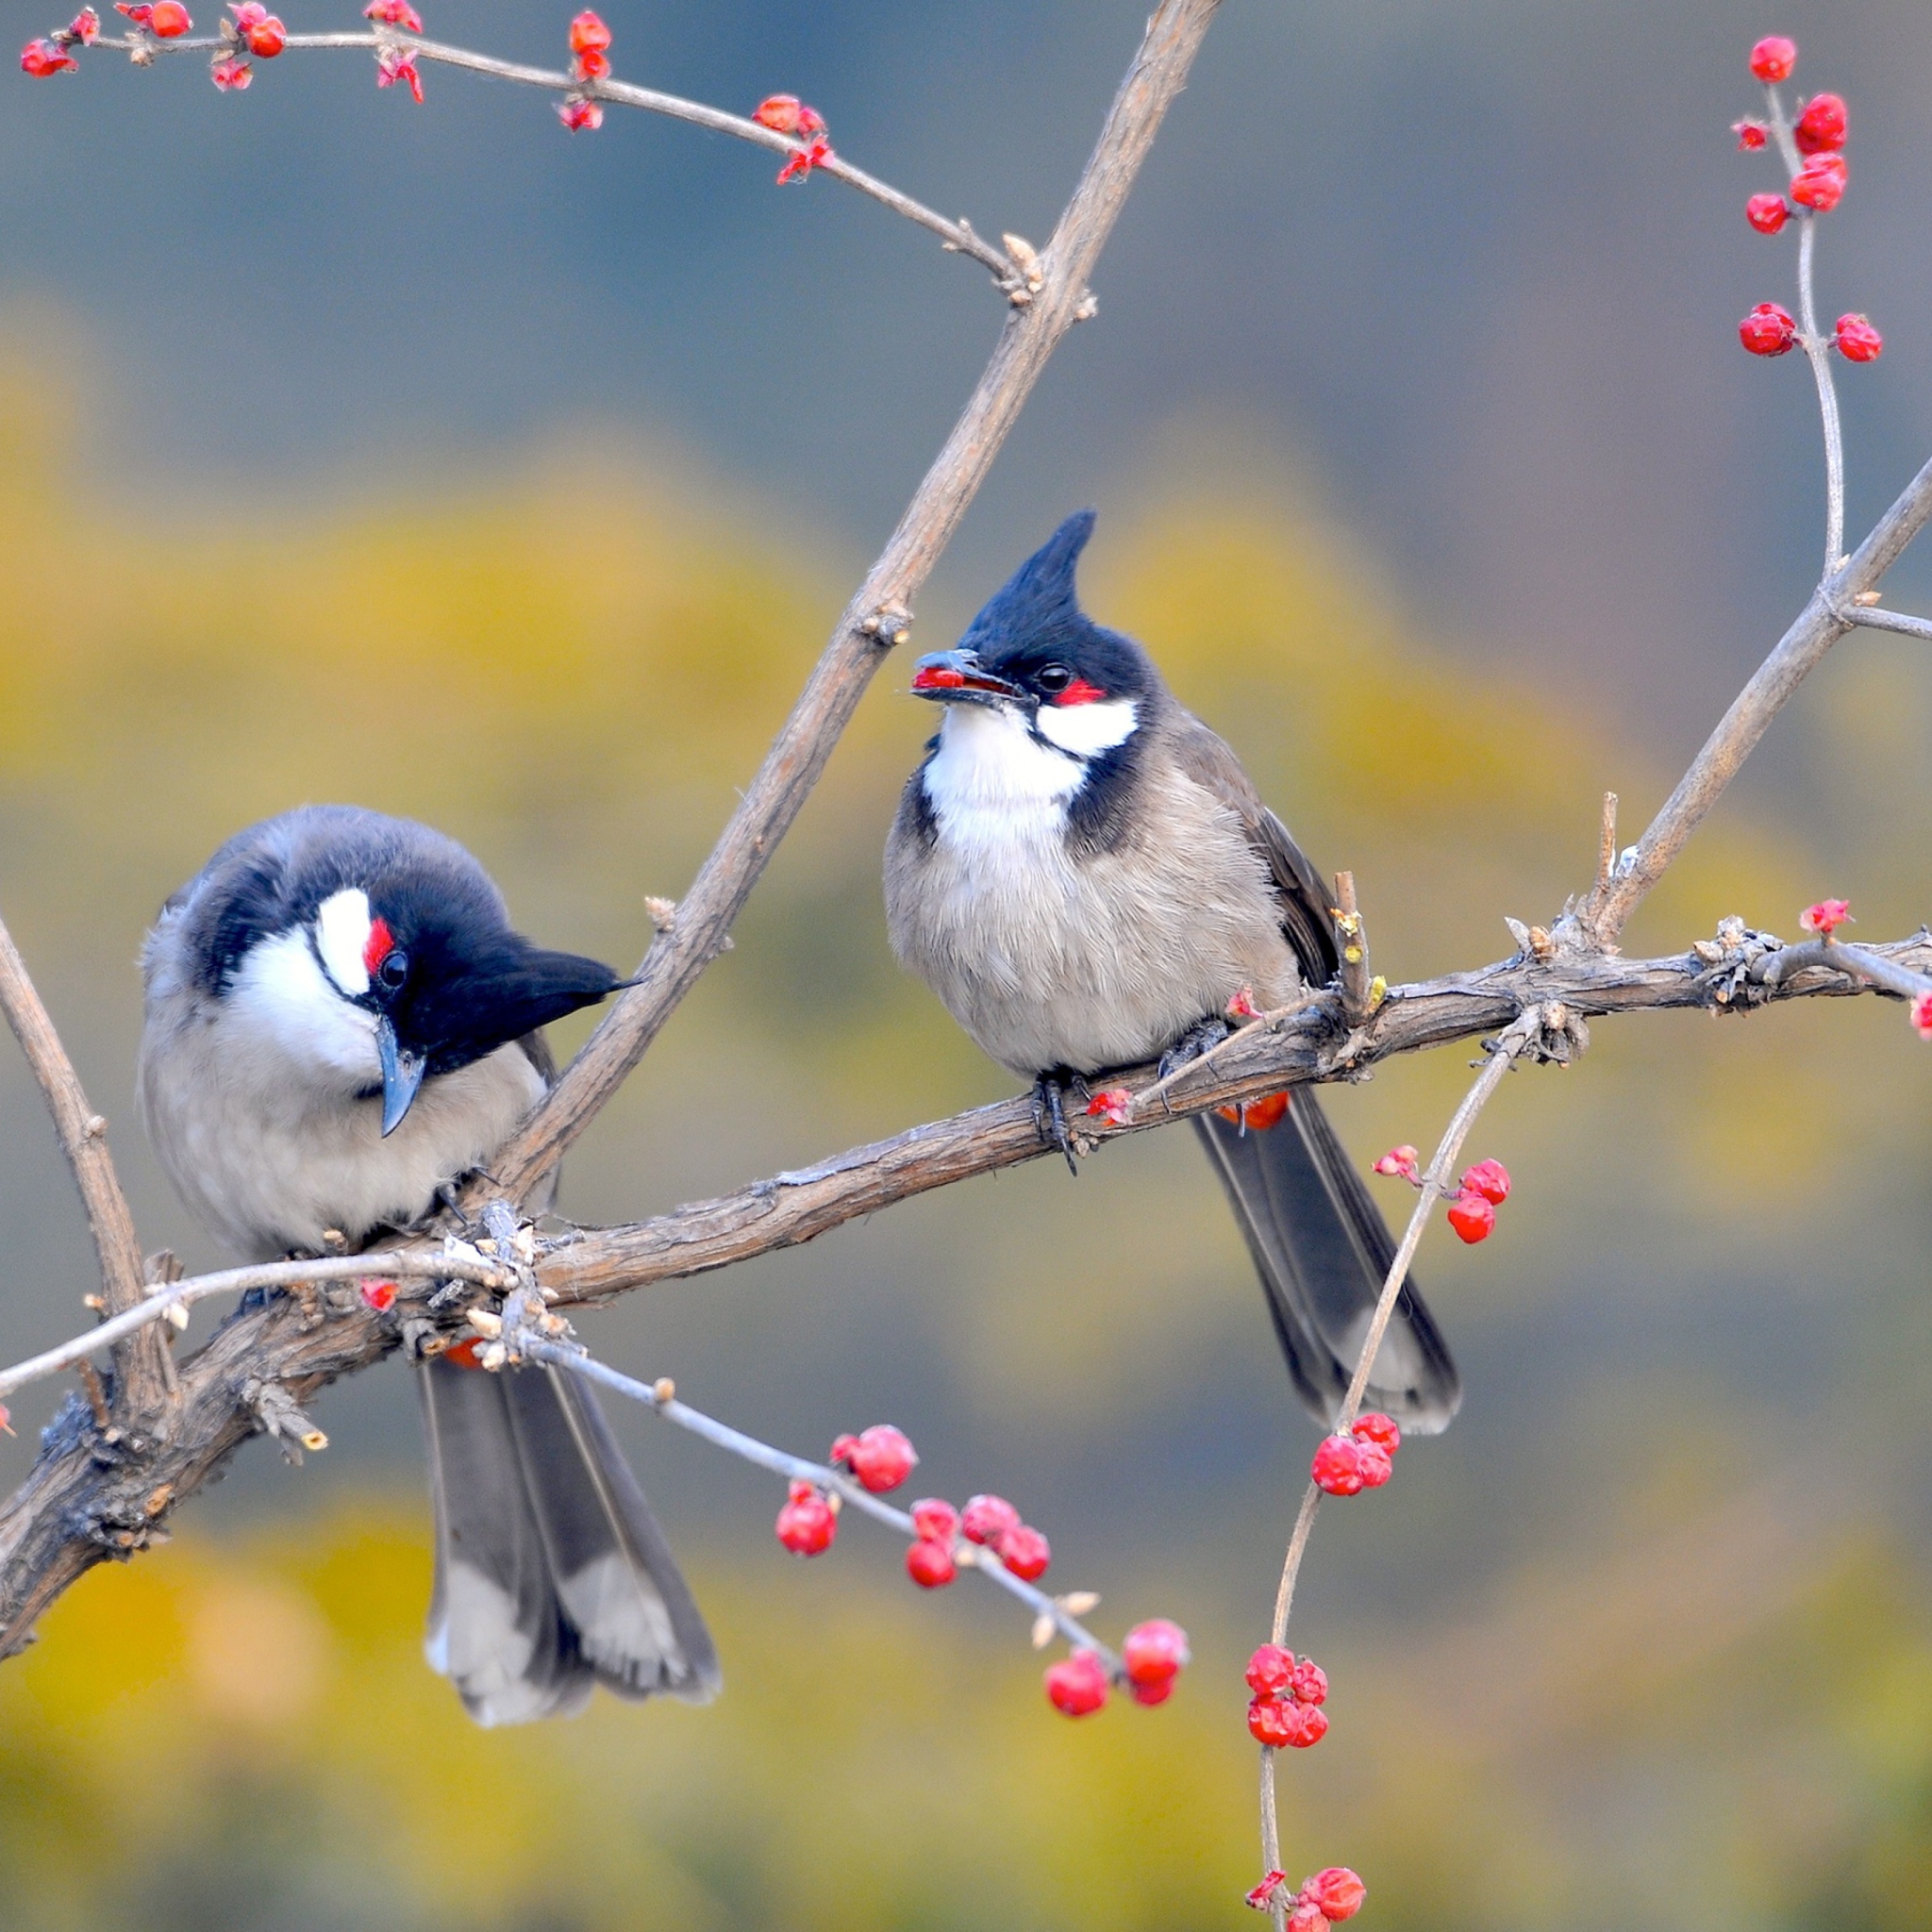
(1467, 271)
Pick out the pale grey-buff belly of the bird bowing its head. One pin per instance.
(270, 1176)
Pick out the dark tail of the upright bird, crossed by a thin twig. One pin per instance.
(1324, 1251)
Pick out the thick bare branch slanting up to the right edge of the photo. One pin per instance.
(1831, 613)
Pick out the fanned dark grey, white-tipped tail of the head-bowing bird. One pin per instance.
(552, 1572)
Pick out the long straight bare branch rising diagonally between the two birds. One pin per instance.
(880, 615)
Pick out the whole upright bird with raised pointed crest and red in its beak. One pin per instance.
(1087, 878)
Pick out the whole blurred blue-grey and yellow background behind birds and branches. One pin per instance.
(428, 459)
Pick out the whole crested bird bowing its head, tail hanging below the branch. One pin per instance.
(339, 1023)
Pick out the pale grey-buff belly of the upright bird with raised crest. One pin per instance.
(1052, 959)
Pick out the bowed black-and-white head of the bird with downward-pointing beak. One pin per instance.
(374, 955)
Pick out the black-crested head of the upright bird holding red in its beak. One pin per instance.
(1037, 656)
